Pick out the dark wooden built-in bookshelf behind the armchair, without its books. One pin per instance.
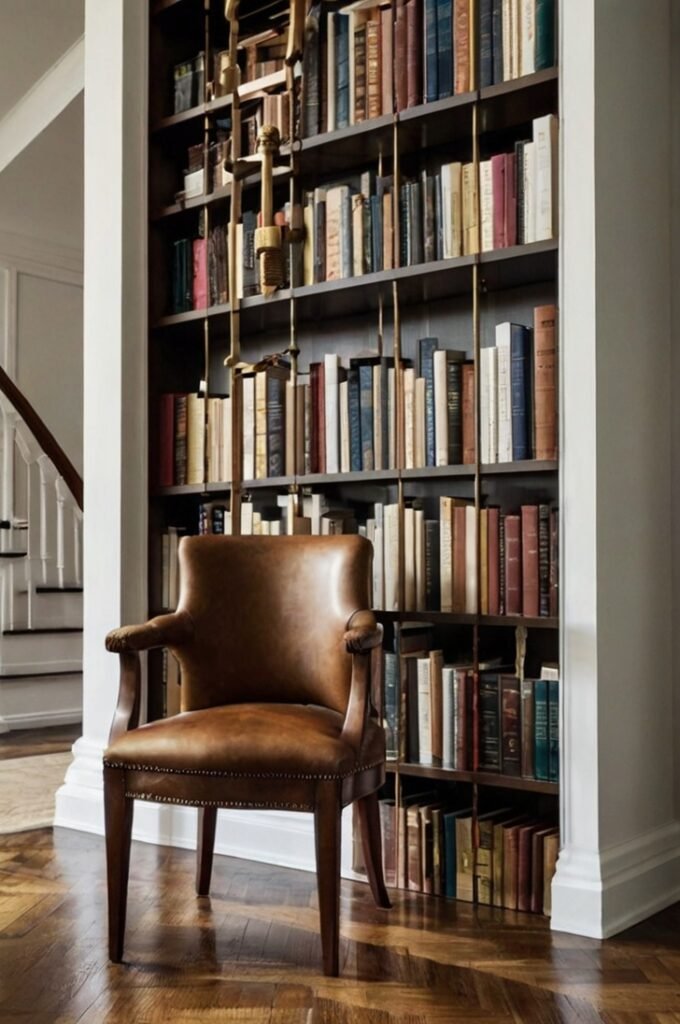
(461, 295)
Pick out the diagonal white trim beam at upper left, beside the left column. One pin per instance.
(42, 104)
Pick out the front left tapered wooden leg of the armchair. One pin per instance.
(118, 819)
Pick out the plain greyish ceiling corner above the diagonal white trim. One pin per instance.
(34, 34)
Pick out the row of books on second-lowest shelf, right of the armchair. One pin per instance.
(442, 715)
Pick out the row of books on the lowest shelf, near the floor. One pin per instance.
(430, 847)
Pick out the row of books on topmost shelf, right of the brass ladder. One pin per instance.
(369, 61)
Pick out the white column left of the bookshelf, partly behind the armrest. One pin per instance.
(115, 374)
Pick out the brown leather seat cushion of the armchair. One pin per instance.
(252, 740)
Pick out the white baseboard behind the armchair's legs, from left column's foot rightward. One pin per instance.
(285, 839)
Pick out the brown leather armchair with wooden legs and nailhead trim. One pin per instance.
(278, 652)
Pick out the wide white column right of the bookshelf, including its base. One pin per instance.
(621, 860)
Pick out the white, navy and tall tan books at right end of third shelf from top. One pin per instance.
(519, 392)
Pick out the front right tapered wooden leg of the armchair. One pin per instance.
(328, 834)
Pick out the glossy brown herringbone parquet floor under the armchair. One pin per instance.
(252, 953)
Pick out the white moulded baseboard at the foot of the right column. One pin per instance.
(600, 895)
